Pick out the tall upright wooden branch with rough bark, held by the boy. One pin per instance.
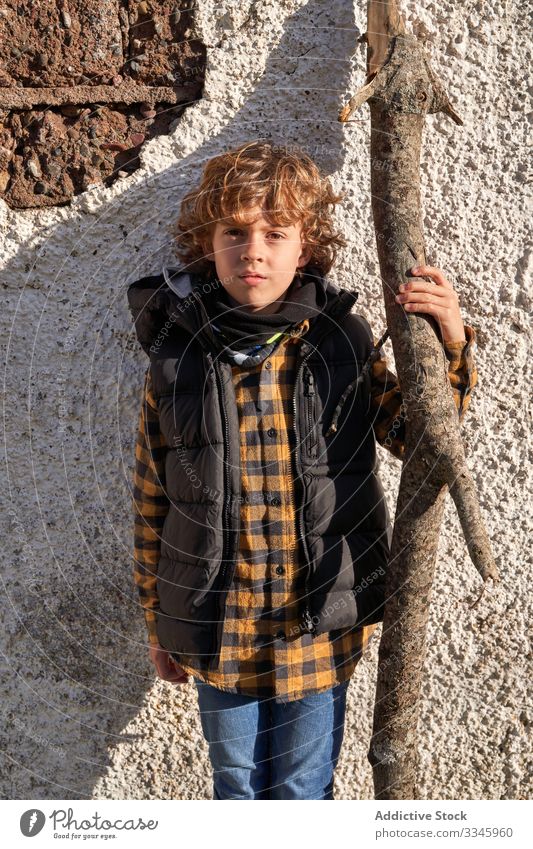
(401, 89)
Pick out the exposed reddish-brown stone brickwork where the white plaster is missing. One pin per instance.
(83, 84)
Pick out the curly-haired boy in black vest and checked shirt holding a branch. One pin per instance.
(262, 534)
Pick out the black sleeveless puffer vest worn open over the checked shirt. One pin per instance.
(343, 522)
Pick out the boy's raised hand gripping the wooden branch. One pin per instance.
(437, 298)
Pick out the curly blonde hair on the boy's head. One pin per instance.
(287, 185)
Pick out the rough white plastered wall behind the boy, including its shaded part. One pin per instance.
(84, 716)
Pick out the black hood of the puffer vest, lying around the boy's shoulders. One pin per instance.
(174, 298)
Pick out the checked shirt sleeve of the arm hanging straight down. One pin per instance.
(151, 505)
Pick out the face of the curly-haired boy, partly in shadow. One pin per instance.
(257, 248)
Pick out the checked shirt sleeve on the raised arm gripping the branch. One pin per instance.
(388, 418)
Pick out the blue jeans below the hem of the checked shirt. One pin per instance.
(262, 749)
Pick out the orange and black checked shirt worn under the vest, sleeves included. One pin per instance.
(263, 654)
